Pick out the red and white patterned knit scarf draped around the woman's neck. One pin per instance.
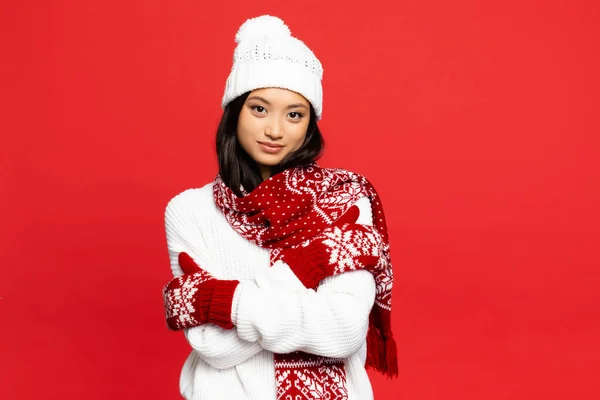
(290, 210)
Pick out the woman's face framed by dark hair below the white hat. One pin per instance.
(271, 125)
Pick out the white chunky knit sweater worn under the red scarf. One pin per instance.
(272, 311)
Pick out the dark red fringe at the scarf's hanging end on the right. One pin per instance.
(382, 353)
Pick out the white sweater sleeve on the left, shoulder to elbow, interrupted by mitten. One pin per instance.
(219, 347)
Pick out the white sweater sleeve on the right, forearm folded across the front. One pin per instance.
(331, 321)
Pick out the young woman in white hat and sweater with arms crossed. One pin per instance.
(282, 270)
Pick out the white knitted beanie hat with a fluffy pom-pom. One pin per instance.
(267, 55)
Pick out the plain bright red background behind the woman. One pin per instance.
(477, 121)
